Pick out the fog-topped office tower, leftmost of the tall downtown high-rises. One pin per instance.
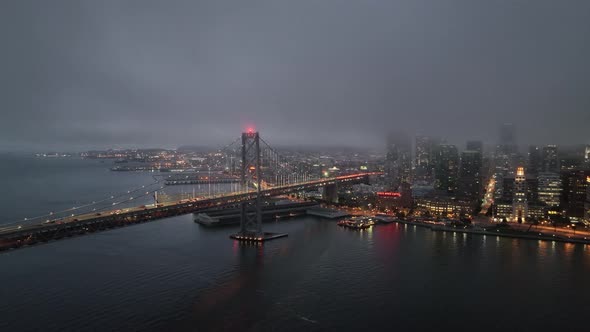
(398, 165)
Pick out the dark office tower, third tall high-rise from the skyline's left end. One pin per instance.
(446, 168)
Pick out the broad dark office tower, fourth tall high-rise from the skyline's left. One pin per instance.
(469, 184)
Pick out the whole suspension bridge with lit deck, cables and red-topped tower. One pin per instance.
(262, 173)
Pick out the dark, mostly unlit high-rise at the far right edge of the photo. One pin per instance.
(575, 185)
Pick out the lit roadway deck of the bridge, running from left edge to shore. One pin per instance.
(17, 236)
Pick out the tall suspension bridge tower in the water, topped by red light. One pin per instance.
(251, 217)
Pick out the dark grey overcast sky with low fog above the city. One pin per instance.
(78, 74)
